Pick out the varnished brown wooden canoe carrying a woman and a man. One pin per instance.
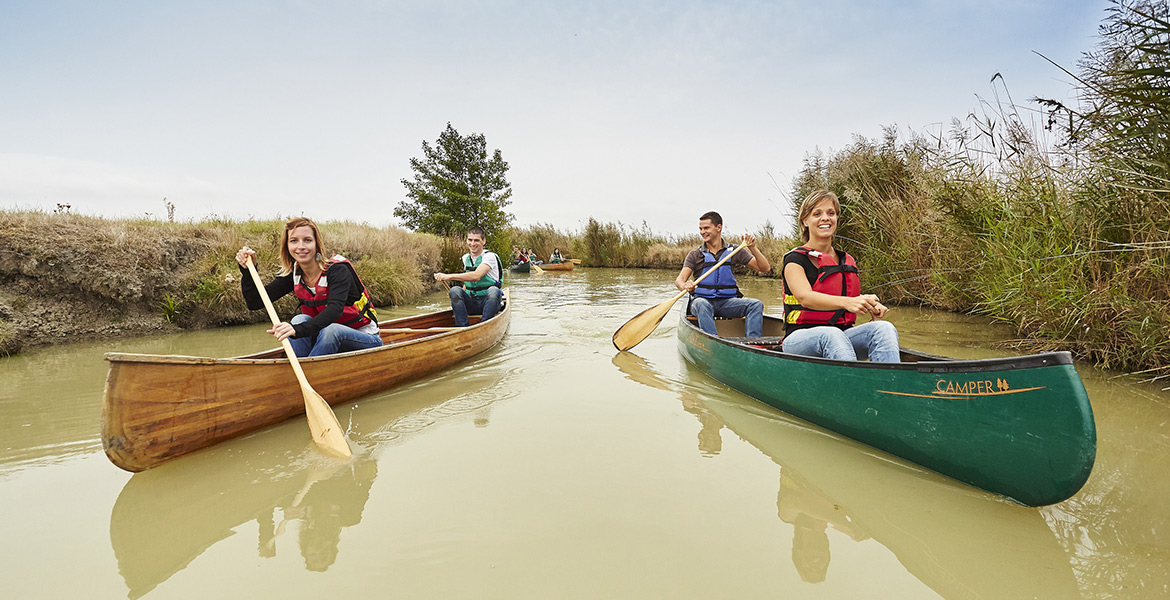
(161, 408)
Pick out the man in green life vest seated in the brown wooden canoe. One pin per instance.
(481, 293)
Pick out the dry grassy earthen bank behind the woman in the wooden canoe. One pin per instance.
(75, 278)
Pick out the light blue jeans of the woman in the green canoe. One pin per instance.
(878, 340)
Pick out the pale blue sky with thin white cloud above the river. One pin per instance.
(622, 111)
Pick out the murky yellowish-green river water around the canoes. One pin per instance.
(553, 467)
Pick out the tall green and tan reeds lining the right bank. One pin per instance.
(1057, 222)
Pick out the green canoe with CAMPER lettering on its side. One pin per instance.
(1021, 427)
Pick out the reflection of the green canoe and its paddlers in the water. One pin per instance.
(959, 541)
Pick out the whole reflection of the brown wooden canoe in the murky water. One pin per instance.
(169, 516)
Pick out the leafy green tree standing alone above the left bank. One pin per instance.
(457, 187)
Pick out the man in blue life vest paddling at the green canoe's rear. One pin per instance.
(719, 295)
